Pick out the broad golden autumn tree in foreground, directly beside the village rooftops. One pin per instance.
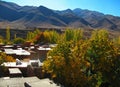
(67, 64)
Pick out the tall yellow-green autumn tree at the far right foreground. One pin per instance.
(103, 56)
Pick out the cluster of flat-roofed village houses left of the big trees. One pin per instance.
(26, 71)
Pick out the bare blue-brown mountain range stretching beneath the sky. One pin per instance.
(24, 17)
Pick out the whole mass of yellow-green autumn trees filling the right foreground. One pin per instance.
(93, 62)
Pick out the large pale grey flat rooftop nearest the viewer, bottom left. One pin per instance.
(31, 81)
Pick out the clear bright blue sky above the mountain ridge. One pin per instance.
(104, 6)
